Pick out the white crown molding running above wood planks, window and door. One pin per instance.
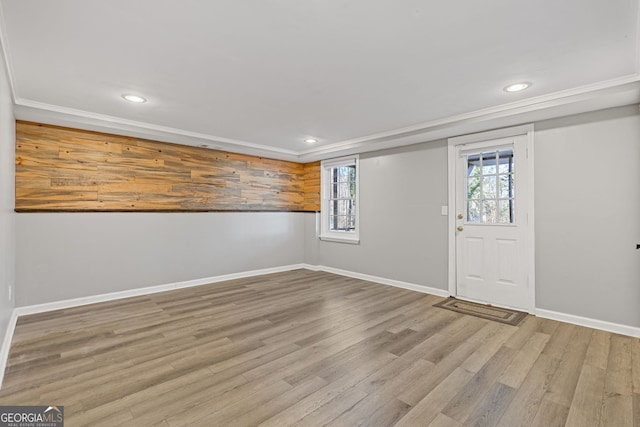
(607, 94)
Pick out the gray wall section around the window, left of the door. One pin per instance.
(403, 235)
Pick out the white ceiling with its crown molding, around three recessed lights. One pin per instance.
(259, 76)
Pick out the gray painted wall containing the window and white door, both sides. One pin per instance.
(587, 180)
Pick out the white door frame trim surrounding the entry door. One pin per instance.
(527, 130)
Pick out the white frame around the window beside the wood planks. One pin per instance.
(325, 179)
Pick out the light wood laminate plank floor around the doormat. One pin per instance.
(311, 348)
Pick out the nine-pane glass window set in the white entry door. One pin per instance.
(490, 187)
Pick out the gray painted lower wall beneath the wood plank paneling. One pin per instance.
(70, 255)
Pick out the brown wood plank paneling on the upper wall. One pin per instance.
(68, 170)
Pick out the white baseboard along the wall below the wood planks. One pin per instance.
(75, 302)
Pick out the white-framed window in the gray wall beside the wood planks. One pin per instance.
(339, 206)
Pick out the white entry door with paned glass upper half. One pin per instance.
(491, 222)
